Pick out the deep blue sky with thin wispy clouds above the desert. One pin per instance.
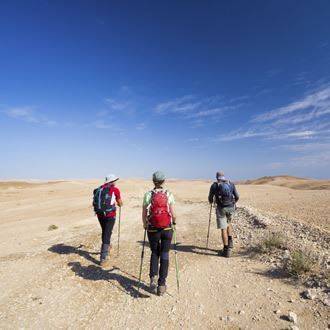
(189, 87)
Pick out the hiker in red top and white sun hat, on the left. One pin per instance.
(105, 198)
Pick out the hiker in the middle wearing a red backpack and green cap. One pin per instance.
(158, 217)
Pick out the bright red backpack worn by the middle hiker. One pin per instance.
(160, 216)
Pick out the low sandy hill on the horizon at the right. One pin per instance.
(291, 182)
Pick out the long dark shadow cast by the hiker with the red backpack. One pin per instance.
(94, 273)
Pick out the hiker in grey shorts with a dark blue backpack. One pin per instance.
(226, 197)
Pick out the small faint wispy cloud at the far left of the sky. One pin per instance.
(28, 114)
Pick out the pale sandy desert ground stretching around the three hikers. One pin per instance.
(51, 278)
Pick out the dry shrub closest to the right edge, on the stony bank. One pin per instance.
(300, 263)
